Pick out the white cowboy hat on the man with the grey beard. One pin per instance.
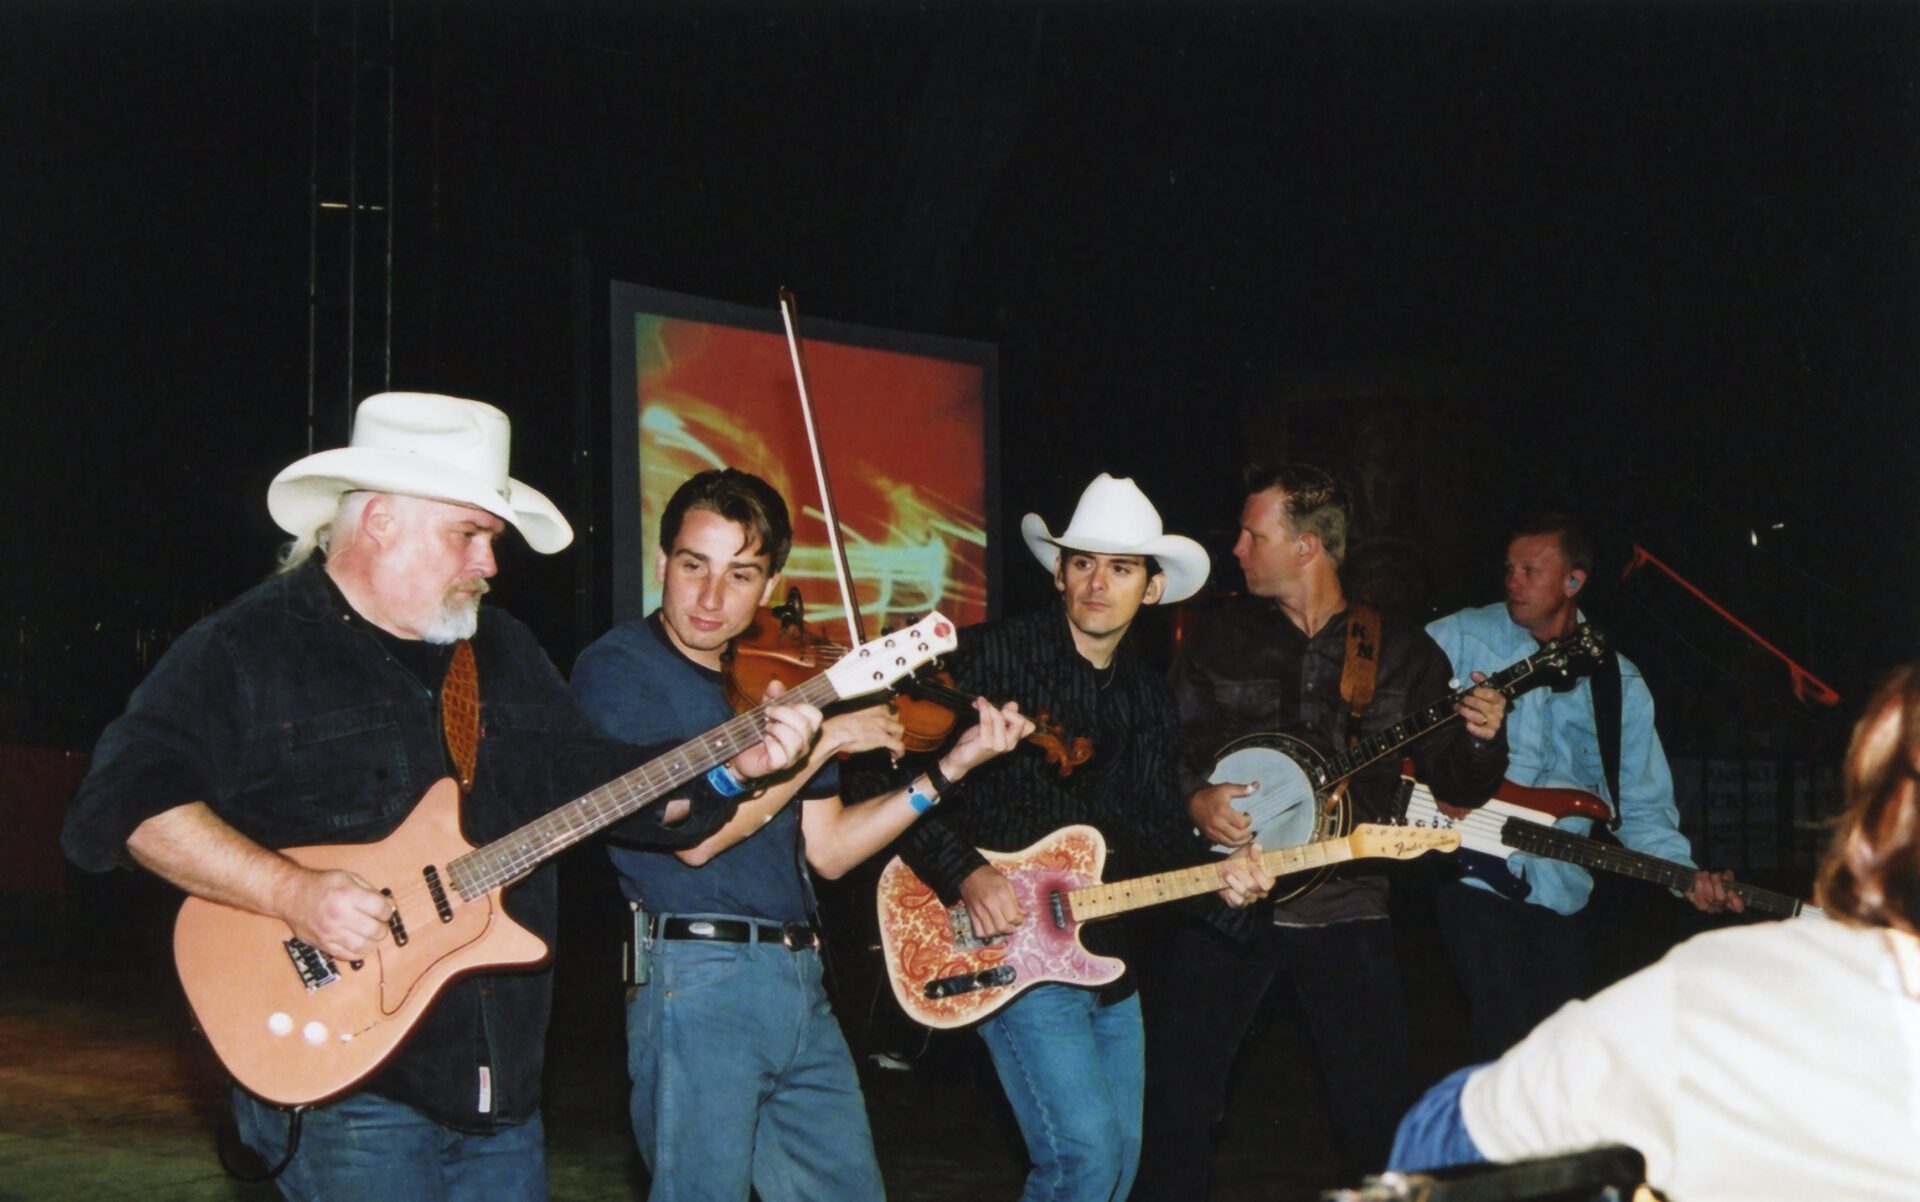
(420, 445)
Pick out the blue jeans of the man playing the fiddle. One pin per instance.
(742, 1078)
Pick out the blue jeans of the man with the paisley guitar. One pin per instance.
(1074, 1072)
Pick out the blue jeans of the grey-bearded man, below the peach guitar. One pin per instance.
(368, 1147)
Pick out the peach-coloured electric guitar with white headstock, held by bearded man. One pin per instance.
(297, 1026)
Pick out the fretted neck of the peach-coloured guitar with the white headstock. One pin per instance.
(516, 855)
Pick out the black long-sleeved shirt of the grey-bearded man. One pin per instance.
(297, 725)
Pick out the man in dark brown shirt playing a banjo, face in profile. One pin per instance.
(1280, 661)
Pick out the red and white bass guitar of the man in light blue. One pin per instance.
(1522, 819)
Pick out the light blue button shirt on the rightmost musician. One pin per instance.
(1552, 742)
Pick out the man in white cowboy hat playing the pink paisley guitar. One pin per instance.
(1072, 1059)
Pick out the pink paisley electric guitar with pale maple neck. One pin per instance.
(946, 976)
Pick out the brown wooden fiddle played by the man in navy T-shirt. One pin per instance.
(782, 646)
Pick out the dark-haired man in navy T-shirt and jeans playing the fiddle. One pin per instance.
(742, 1076)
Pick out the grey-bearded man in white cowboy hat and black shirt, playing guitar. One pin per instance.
(310, 711)
